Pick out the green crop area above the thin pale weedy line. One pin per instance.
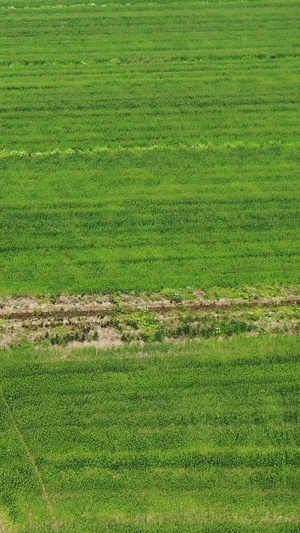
(143, 74)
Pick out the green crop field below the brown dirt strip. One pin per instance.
(193, 438)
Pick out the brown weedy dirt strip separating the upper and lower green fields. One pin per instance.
(111, 320)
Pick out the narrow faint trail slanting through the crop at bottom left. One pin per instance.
(32, 459)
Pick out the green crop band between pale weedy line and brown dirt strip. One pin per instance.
(149, 220)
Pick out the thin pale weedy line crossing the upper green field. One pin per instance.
(197, 147)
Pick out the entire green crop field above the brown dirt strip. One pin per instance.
(147, 145)
